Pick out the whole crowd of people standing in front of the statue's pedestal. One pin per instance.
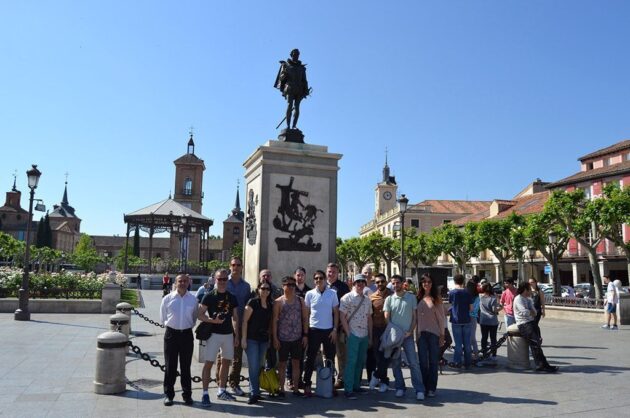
(371, 325)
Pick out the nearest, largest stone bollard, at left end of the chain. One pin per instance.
(111, 352)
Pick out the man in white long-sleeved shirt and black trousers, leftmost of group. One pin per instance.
(178, 313)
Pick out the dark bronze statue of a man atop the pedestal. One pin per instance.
(291, 81)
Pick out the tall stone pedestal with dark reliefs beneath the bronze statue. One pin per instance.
(291, 209)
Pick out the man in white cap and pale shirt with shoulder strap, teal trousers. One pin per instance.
(356, 320)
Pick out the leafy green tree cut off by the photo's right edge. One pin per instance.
(614, 212)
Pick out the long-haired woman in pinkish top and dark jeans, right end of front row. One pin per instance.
(431, 322)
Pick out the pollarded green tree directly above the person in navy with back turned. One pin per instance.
(459, 243)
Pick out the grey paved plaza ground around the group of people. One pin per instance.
(48, 368)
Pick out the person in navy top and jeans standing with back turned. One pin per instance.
(461, 305)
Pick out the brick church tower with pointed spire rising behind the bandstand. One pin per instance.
(188, 191)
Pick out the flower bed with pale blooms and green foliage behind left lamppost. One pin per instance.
(60, 285)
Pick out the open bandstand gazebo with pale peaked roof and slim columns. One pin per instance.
(171, 216)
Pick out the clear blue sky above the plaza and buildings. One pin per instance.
(473, 99)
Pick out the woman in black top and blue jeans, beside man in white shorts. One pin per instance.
(256, 326)
